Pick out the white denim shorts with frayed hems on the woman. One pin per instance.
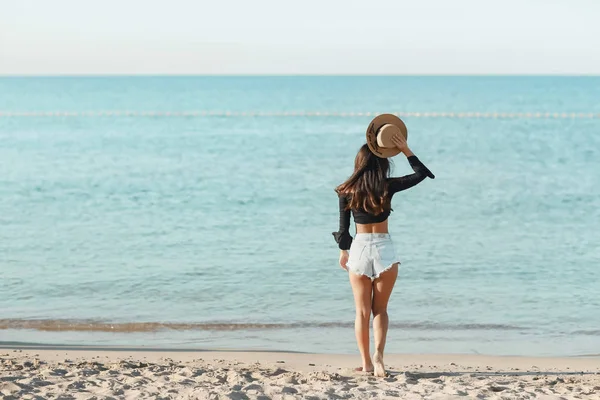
(372, 254)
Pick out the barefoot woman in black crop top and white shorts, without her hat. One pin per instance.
(372, 260)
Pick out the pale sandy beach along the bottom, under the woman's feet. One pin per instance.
(104, 373)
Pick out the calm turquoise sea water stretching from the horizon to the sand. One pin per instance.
(215, 231)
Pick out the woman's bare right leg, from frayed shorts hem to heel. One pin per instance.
(382, 290)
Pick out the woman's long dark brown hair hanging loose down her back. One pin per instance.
(367, 188)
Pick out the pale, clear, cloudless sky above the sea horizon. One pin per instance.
(51, 37)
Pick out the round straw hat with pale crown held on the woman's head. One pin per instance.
(380, 133)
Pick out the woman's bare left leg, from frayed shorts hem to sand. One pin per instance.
(362, 288)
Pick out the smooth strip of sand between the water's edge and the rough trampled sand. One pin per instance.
(325, 361)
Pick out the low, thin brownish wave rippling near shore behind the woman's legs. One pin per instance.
(131, 327)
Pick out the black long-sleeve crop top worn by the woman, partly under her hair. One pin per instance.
(343, 237)
